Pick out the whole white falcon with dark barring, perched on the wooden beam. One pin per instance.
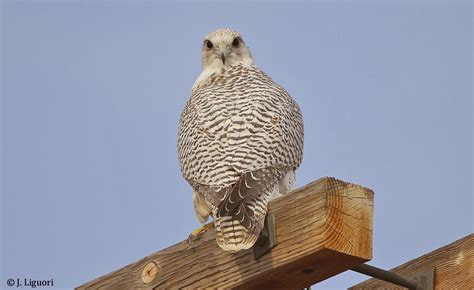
(240, 141)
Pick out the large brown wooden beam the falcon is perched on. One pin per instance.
(323, 229)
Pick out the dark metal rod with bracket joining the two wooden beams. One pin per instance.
(423, 280)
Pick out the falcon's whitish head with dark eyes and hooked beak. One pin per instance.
(224, 47)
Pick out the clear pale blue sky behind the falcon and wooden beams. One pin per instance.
(91, 97)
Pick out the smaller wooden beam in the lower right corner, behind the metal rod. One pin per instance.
(453, 265)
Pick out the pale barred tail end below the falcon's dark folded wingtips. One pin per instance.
(233, 236)
